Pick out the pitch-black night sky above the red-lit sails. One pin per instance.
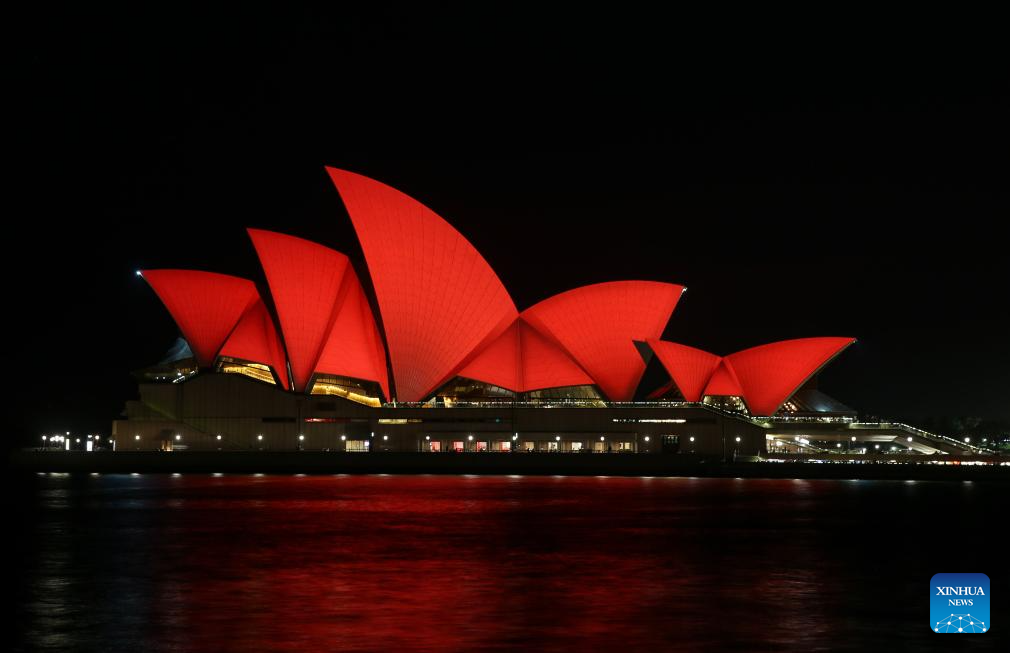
(148, 142)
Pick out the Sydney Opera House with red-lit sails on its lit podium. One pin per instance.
(428, 353)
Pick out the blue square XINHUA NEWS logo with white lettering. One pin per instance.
(959, 603)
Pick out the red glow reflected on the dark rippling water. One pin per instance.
(455, 564)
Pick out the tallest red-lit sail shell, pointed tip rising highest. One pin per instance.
(441, 301)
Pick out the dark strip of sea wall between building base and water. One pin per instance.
(479, 464)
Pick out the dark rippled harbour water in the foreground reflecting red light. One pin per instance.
(444, 564)
